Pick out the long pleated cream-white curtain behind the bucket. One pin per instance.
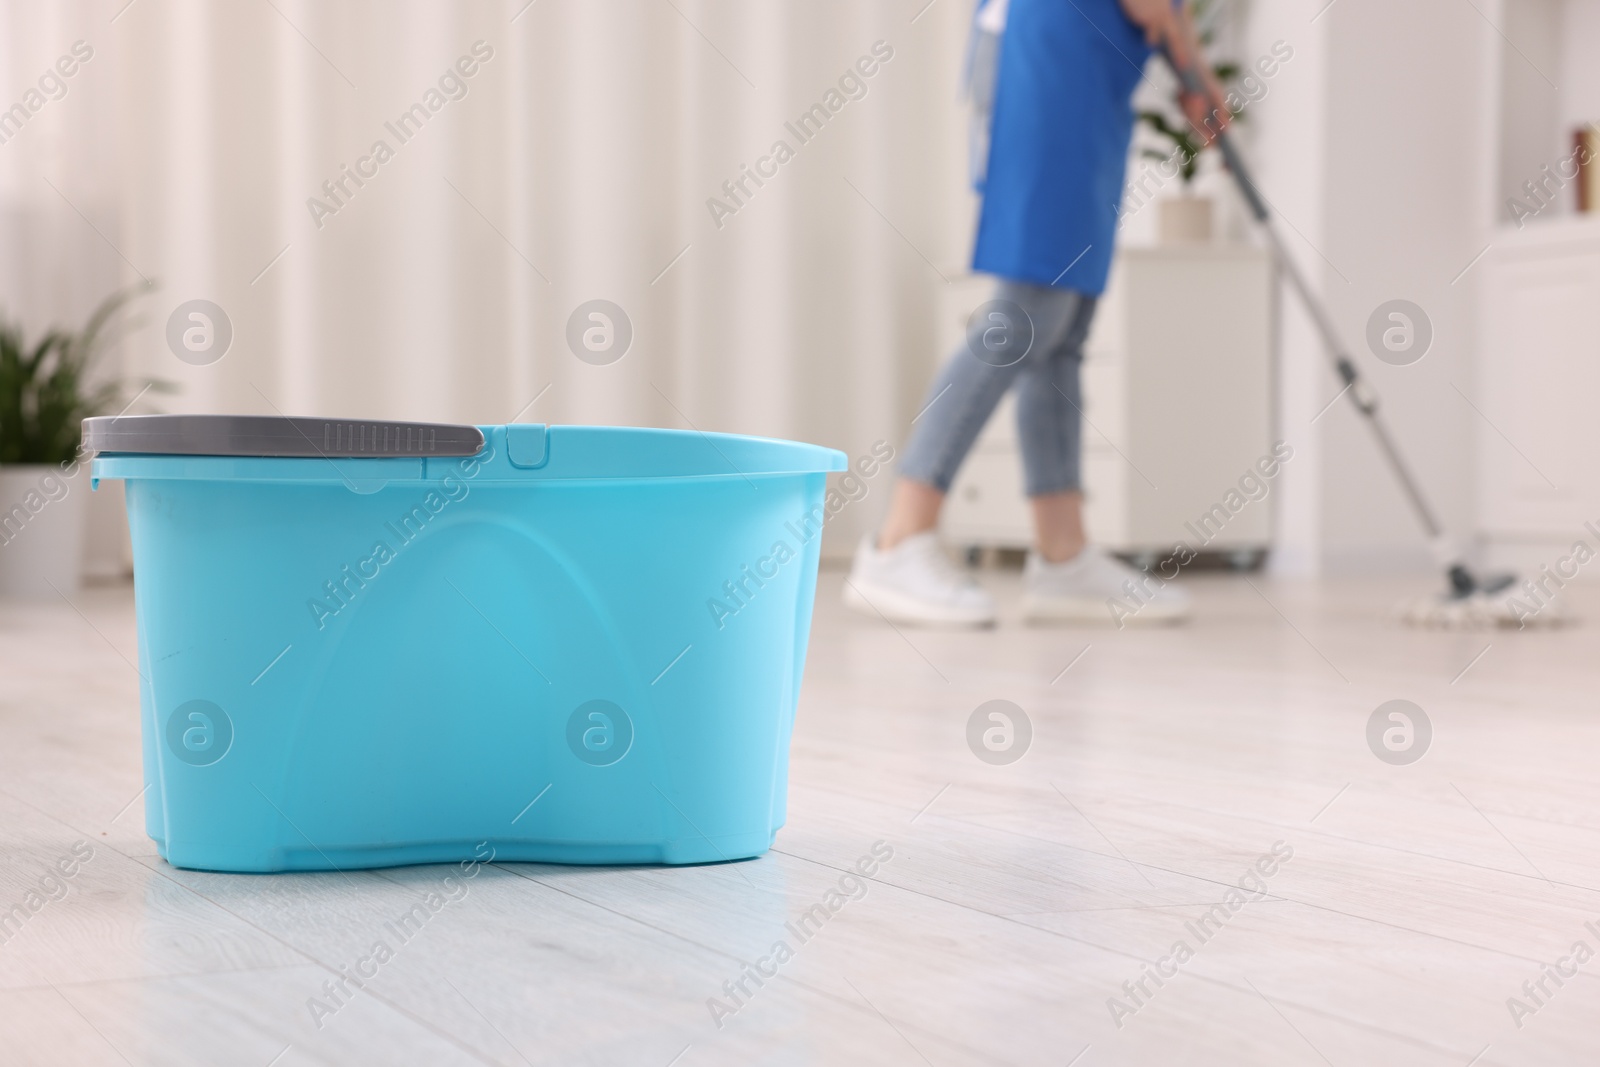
(577, 167)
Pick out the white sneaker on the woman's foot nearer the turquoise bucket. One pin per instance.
(916, 583)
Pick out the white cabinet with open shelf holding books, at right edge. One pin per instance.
(1538, 287)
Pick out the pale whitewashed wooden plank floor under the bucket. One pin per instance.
(1018, 900)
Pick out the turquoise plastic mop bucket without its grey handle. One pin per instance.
(582, 645)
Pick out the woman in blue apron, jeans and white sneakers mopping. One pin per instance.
(1058, 79)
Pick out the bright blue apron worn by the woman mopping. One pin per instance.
(1058, 143)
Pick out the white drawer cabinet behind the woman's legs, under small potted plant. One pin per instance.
(1177, 407)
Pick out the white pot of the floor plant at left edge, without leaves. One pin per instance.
(42, 519)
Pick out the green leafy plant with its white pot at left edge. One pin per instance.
(47, 388)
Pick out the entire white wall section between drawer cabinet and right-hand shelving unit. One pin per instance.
(1369, 146)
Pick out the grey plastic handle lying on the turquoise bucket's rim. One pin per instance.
(276, 436)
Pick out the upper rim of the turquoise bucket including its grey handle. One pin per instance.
(367, 455)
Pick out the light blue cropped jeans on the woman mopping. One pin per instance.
(1049, 399)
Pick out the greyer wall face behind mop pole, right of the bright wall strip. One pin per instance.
(1402, 225)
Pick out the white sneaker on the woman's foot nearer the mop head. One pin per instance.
(1097, 588)
